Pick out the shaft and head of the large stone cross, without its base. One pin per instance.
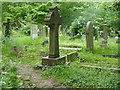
(53, 21)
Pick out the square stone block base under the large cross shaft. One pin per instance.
(53, 61)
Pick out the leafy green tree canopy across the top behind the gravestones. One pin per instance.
(73, 14)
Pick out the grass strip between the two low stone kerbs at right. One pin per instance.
(98, 60)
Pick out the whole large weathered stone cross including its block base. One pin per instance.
(53, 21)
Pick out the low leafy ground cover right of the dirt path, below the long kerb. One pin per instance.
(78, 77)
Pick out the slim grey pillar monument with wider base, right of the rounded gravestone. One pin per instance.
(105, 36)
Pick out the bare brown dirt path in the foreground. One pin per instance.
(33, 78)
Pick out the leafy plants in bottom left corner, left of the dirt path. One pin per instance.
(9, 77)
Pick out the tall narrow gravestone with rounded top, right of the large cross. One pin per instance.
(89, 36)
